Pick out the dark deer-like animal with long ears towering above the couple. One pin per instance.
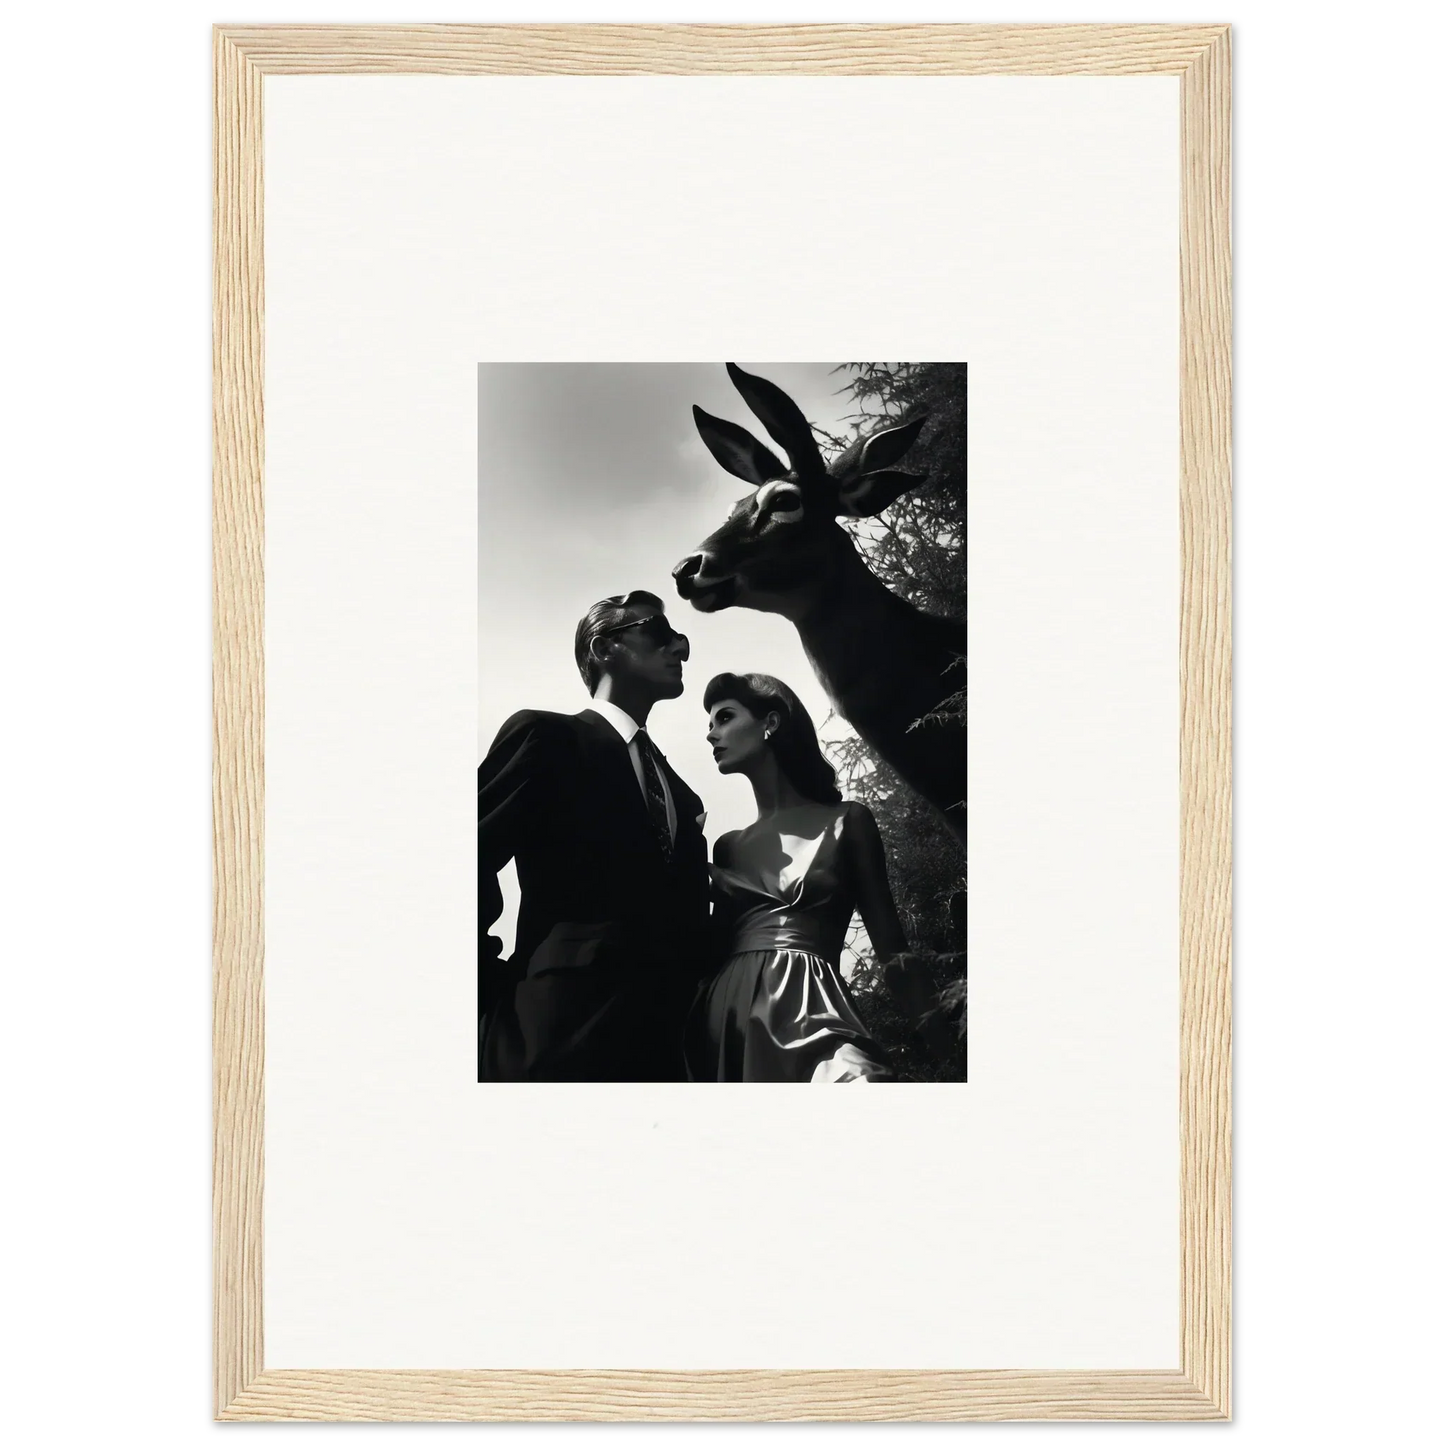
(884, 664)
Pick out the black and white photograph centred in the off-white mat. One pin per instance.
(723, 723)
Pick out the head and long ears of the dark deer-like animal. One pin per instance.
(784, 538)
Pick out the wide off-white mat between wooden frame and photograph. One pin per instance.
(421, 226)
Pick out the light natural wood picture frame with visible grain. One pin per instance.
(1200, 54)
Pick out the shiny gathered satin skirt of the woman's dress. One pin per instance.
(781, 1017)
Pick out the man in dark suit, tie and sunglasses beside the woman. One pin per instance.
(612, 933)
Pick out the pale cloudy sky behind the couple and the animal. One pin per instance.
(593, 480)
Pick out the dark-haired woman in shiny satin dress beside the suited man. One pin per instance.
(785, 891)
